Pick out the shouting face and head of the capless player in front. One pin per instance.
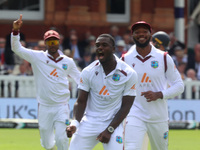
(104, 49)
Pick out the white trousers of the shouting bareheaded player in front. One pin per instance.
(90, 127)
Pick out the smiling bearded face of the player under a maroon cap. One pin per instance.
(141, 36)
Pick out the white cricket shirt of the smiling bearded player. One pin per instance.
(152, 77)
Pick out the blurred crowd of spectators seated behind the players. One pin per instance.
(83, 52)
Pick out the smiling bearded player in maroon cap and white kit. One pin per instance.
(149, 112)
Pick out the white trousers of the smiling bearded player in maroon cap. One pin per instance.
(135, 130)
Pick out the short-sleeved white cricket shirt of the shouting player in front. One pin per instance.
(106, 91)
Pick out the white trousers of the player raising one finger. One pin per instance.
(52, 126)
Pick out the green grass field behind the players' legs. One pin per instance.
(29, 139)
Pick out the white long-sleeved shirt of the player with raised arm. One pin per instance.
(52, 86)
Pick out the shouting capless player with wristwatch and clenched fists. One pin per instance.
(106, 94)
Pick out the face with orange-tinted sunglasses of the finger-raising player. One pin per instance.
(52, 45)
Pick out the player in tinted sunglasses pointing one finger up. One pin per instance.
(50, 69)
